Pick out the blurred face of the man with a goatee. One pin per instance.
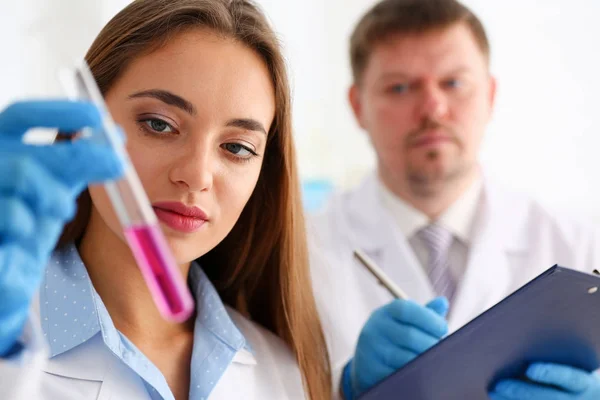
(425, 100)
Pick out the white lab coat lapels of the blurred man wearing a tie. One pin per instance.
(499, 234)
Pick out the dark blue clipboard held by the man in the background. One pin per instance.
(553, 318)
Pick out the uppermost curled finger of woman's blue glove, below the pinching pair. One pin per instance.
(23, 177)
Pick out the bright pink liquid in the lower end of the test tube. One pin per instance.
(160, 271)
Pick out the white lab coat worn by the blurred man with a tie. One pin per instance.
(515, 239)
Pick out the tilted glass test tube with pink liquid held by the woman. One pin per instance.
(132, 207)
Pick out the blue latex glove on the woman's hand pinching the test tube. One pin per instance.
(38, 189)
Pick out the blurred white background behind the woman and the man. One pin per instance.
(543, 138)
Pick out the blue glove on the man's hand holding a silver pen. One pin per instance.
(394, 335)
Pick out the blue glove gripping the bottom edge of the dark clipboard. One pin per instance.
(550, 382)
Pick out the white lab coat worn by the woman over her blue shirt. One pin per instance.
(92, 372)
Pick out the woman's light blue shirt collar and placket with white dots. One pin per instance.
(72, 313)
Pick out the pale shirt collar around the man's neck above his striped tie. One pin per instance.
(458, 218)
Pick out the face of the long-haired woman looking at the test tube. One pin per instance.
(196, 114)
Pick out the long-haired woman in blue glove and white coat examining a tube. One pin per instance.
(200, 89)
